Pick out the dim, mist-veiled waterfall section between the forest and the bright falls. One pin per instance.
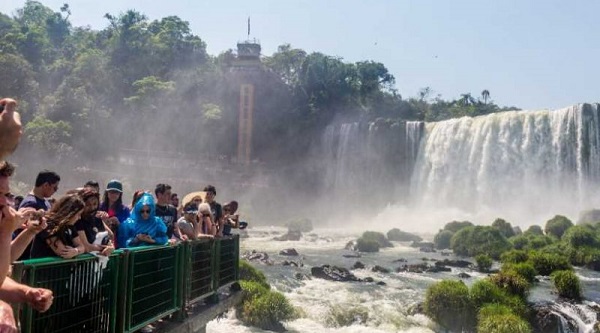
(370, 163)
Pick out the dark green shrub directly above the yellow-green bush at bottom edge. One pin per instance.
(485, 292)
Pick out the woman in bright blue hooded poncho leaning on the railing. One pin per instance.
(143, 227)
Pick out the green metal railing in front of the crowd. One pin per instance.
(134, 288)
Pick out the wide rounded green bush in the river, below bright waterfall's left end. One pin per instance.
(475, 240)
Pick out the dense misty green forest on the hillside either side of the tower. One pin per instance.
(142, 83)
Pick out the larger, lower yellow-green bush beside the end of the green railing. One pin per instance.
(264, 308)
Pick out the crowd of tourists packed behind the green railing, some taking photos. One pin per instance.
(84, 220)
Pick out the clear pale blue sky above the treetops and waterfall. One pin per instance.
(531, 54)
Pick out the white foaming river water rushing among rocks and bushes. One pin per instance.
(388, 306)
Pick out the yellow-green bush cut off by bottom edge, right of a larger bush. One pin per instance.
(496, 318)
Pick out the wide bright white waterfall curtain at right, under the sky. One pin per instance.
(517, 163)
